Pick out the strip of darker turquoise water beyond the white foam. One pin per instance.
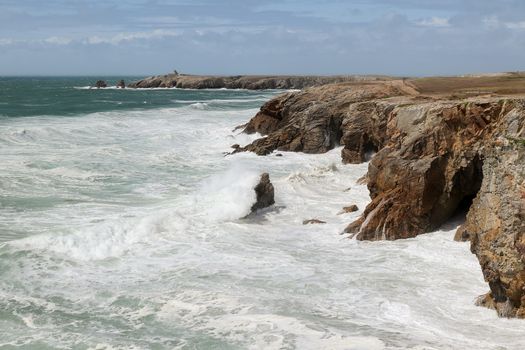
(37, 96)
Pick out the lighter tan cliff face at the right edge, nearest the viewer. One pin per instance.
(496, 221)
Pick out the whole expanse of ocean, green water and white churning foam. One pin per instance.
(122, 227)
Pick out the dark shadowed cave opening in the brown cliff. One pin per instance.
(466, 185)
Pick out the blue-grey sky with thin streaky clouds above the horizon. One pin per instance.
(143, 37)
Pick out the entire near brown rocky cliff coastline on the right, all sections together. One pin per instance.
(432, 156)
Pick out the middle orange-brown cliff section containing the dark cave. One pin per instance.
(429, 168)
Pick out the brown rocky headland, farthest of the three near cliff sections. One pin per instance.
(318, 119)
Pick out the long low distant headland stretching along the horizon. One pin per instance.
(241, 82)
